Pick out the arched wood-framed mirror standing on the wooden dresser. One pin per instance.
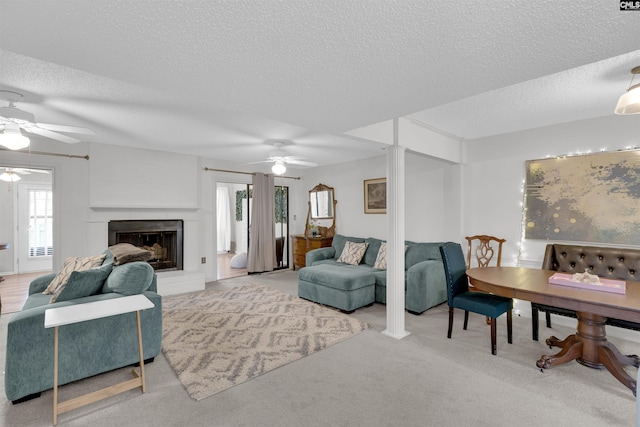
(321, 219)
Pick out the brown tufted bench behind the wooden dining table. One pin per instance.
(607, 263)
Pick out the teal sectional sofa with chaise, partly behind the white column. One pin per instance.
(348, 287)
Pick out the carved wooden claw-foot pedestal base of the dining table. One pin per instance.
(589, 346)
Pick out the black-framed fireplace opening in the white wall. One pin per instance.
(164, 238)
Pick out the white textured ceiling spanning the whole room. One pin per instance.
(219, 78)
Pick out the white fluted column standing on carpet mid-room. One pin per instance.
(395, 240)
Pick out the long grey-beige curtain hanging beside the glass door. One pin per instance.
(262, 244)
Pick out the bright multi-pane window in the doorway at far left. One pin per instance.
(40, 223)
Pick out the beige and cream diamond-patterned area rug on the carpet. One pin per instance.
(216, 339)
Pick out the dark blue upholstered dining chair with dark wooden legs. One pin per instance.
(459, 296)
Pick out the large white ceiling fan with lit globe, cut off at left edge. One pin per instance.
(13, 119)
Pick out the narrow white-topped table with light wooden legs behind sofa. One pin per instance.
(56, 317)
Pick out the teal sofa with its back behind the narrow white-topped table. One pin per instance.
(87, 348)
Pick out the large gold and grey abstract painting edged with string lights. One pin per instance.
(584, 198)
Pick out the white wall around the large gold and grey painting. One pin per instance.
(493, 175)
